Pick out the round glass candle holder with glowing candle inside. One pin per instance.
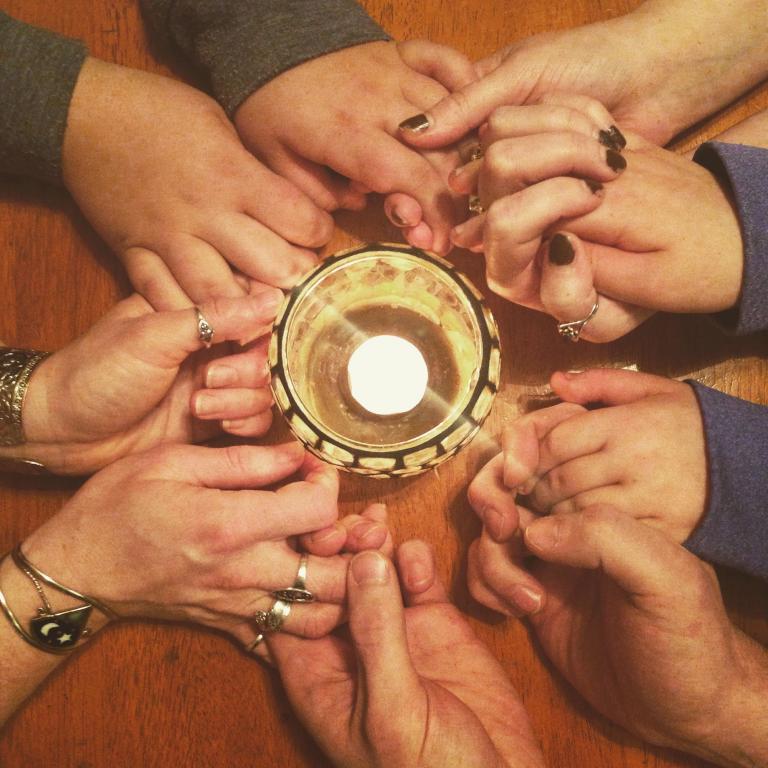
(385, 360)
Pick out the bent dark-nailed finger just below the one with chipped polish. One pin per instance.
(512, 164)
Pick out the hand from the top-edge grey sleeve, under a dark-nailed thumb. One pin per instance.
(328, 125)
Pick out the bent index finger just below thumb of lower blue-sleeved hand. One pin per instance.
(521, 443)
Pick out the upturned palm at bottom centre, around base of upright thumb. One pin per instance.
(463, 696)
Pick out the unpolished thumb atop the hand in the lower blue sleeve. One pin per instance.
(609, 386)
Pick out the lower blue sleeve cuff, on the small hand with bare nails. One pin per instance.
(734, 529)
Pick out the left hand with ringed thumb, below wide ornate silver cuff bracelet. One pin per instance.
(133, 381)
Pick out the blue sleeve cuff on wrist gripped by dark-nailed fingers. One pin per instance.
(745, 169)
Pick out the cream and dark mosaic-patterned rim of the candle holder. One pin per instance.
(426, 450)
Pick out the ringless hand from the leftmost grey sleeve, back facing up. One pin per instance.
(160, 173)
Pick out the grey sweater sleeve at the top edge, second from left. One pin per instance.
(242, 44)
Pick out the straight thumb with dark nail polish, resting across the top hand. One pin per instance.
(456, 114)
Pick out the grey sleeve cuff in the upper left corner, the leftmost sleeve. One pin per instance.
(38, 72)
